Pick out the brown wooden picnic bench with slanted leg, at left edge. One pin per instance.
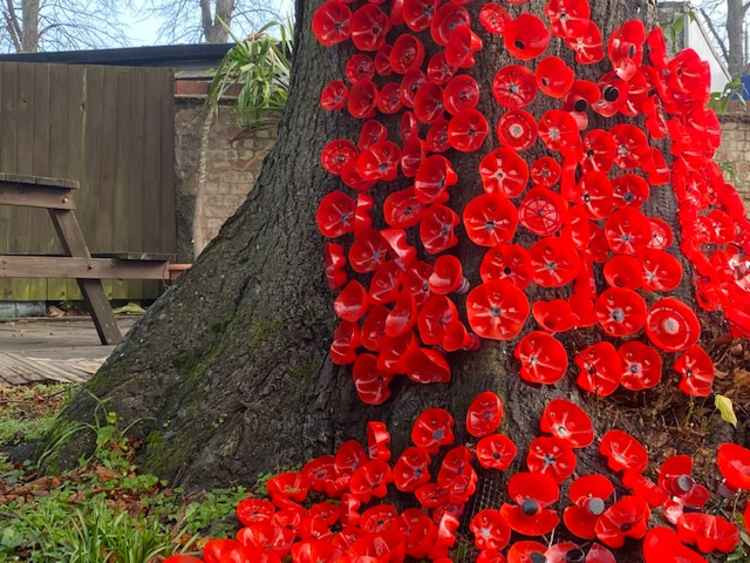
(56, 195)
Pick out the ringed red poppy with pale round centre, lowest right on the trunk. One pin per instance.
(672, 325)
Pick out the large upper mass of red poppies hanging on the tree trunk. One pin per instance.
(583, 199)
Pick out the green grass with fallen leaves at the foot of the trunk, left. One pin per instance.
(103, 511)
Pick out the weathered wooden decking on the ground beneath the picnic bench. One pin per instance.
(63, 350)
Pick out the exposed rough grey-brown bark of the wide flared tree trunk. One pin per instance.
(228, 374)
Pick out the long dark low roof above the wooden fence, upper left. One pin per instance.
(176, 56)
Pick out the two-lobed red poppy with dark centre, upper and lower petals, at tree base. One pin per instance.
(532, 493)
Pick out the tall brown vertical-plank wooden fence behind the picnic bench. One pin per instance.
(110, 128)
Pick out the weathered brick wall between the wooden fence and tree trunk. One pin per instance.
(217, 164)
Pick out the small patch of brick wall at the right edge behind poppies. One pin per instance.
(734, 154)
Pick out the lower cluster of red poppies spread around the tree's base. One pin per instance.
(600, 511)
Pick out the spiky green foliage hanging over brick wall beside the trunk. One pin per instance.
(259, 67)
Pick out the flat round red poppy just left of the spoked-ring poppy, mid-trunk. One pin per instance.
(490, 219)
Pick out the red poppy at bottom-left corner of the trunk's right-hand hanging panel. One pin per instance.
(543, 358)
